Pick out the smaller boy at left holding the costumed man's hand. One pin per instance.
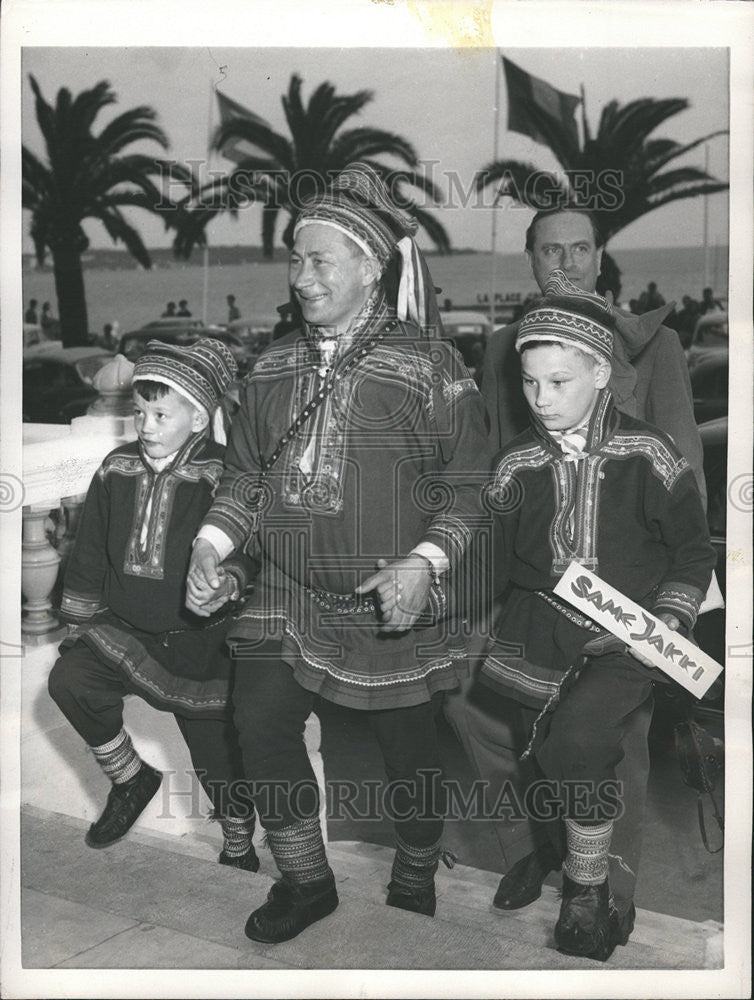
(125, 591)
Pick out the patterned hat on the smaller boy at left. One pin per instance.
(201, 373)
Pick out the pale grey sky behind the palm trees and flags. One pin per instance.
(441, 99)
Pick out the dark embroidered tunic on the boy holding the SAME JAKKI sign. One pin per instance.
(627, 508)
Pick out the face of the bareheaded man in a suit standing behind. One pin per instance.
(565, 240)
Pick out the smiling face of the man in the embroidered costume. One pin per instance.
(330, 276)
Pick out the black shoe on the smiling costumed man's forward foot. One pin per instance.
(290, 908)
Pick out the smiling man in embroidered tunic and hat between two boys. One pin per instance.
(360, 445)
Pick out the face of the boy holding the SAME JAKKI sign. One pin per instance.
(561, 384)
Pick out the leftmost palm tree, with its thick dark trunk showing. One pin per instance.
(87, 176)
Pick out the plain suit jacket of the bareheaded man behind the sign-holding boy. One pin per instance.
(650, 380)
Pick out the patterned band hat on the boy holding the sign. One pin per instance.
(570, 316)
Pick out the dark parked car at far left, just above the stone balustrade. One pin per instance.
(57, 381)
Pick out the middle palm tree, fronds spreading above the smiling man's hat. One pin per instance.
(287, 171)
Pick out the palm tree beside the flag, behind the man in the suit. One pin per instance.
(620, 160)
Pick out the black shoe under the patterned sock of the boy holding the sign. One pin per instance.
(583, 927)
